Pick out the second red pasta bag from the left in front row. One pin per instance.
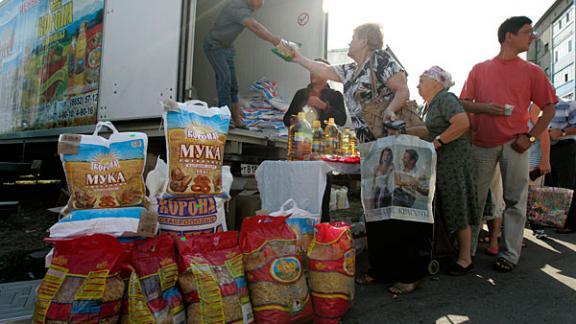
(152, 295)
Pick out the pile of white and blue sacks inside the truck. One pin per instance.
(263, 109)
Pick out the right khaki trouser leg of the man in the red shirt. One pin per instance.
(514, 167)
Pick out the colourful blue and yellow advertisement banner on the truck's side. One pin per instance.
(50, 54)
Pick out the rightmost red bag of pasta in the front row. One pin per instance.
(332, 264)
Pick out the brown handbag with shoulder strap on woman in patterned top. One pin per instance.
(373, 112)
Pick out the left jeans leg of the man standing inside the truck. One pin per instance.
(219, 62)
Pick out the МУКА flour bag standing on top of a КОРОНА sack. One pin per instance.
(195, 138)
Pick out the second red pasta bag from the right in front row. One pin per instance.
(274, 271)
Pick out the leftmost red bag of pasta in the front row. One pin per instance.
(82, 284)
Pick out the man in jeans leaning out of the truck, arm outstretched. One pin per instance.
(218, 47)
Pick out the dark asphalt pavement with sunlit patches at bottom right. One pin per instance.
(542, 289)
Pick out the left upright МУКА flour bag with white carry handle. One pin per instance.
(104, 173)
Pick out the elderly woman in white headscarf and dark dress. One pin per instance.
(456, 199)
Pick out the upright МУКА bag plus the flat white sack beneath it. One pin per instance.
(106, 185)
